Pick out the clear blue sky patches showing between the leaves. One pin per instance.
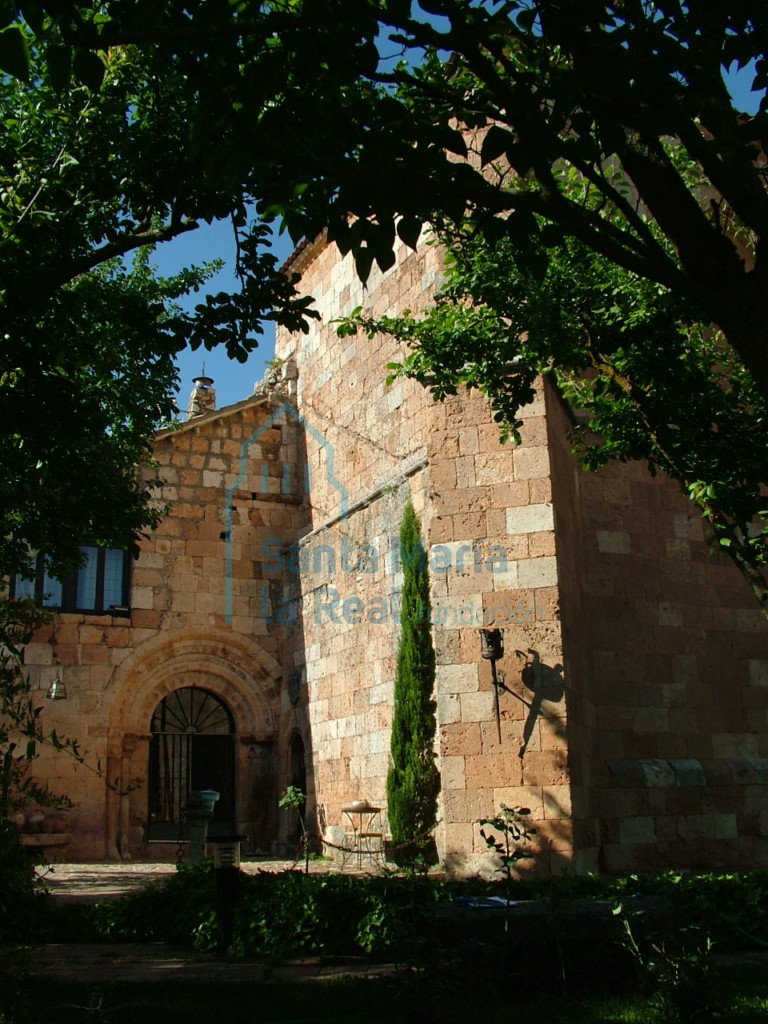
(235, 381)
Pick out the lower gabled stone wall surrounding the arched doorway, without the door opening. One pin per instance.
(197, 619)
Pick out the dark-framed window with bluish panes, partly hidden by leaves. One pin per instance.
(101, 586)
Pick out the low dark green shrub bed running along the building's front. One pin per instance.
(562, 948)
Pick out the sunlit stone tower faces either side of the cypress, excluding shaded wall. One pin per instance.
(489, 526)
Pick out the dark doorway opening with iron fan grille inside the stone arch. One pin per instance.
(192, 748)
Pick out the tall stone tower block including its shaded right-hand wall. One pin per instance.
(633, 720)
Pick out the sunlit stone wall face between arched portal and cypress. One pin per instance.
(366, 450)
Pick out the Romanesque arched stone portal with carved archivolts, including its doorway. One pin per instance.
(192, 711)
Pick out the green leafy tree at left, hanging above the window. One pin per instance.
(90, 183)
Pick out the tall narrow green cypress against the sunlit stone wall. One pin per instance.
(413, 780)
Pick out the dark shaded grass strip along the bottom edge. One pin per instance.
(405, 999)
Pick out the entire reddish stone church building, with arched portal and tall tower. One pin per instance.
(253, 644)
